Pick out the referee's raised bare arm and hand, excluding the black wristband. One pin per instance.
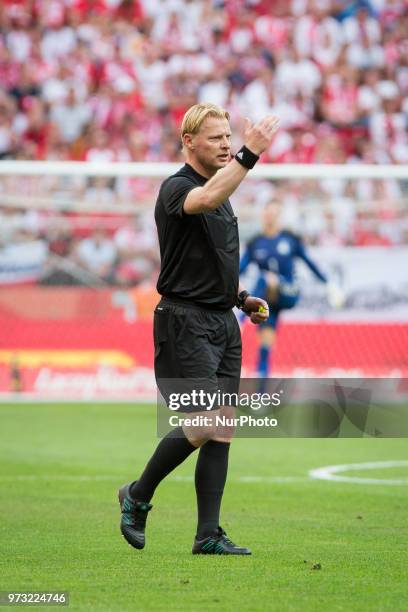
(223, 184)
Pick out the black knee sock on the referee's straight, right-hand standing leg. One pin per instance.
(210, 477)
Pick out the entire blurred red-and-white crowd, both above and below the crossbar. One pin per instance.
(109, 80)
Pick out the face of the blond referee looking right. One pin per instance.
(211, 146)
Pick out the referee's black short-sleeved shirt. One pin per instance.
(199, 253)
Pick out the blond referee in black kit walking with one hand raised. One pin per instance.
(196, 334)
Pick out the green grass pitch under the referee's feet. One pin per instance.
(61, 466)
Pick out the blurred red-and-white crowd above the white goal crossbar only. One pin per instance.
(111, 79)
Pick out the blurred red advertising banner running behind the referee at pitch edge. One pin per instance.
(76, 343)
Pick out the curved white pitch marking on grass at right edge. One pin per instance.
(330, 472)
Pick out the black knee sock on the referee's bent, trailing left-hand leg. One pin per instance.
(170, 452)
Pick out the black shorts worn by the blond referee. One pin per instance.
(195, 348)
